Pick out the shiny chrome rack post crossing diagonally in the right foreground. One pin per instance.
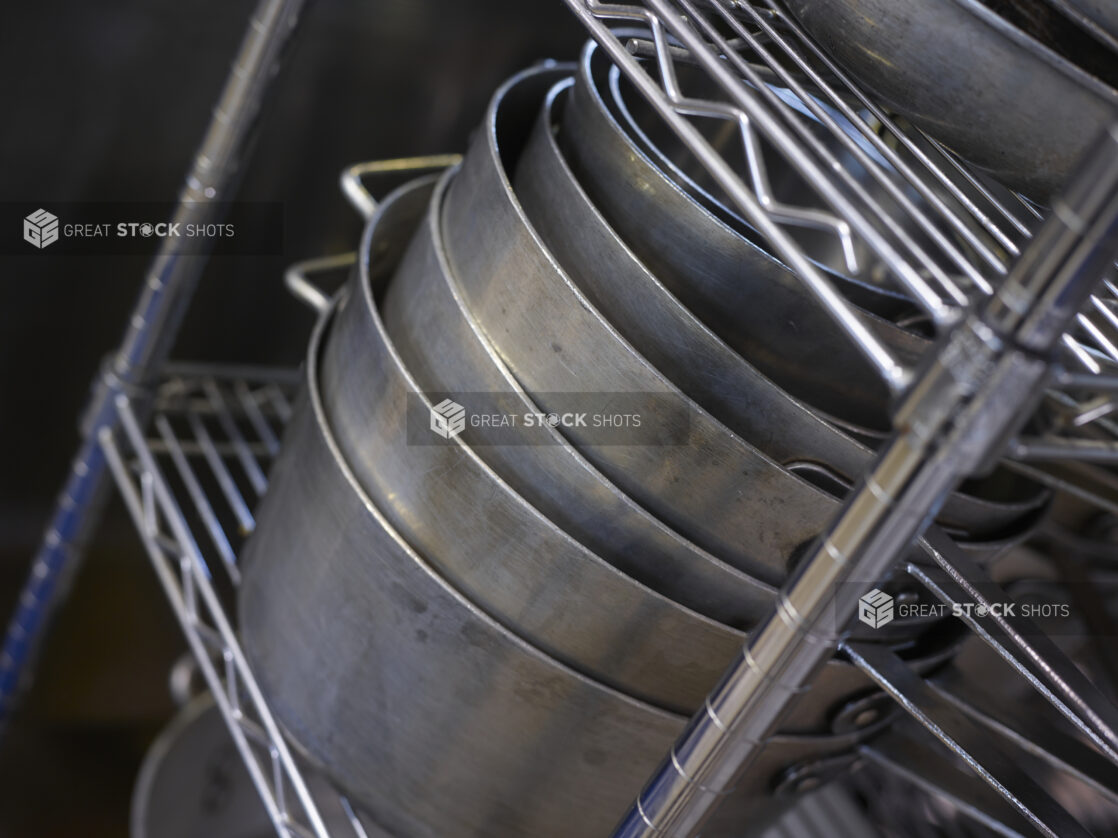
(1006, 345)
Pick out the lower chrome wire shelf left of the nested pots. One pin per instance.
(191, 485)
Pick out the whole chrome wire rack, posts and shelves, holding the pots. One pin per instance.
(977, 251)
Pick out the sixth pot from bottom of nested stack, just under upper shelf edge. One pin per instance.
(731, 282)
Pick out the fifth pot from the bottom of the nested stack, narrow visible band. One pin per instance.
(681, 347)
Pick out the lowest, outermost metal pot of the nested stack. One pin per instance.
(438, 720)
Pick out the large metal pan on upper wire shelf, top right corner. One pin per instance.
(993, 94)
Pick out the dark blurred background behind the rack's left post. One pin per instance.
(108, 102)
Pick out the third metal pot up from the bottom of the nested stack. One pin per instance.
(447, 351)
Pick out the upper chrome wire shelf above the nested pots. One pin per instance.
(903, 209)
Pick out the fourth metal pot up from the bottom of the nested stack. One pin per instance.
(716, 491)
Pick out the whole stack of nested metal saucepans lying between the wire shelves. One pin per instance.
(485, 618)
